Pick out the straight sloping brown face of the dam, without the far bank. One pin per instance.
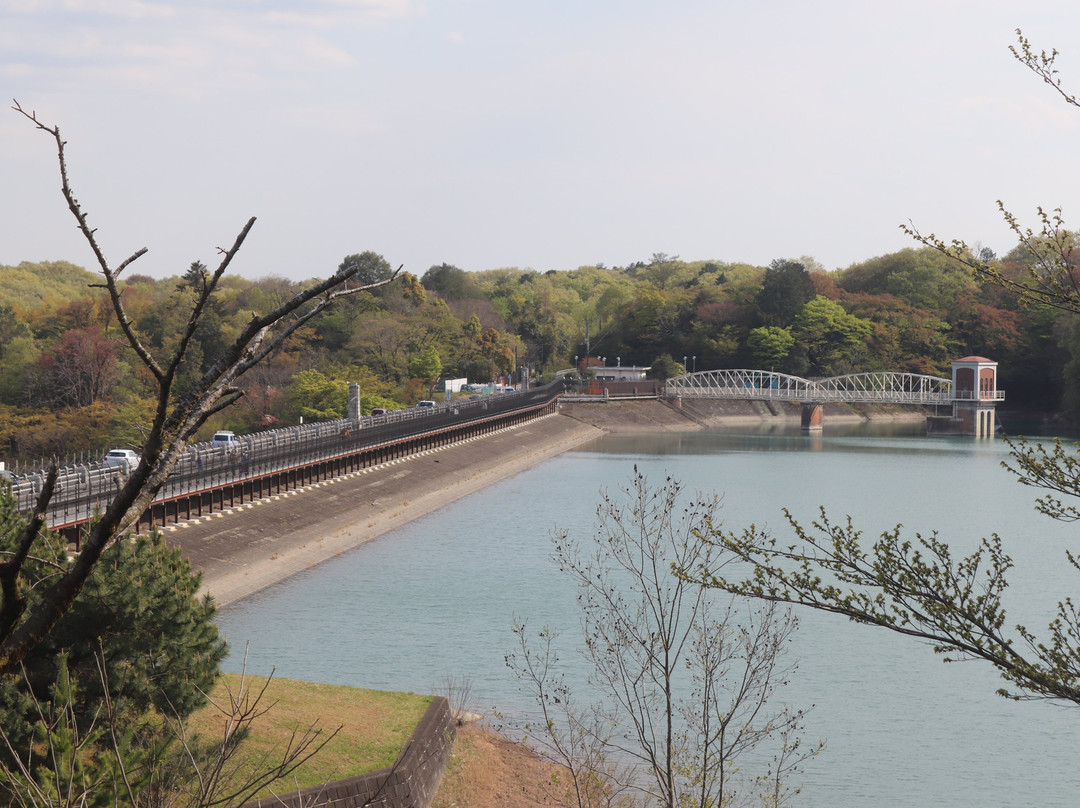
(253, 546)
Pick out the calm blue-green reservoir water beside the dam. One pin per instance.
(437, 599)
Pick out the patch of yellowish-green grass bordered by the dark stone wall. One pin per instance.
(375, 725)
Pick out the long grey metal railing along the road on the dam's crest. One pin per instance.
(86, 489)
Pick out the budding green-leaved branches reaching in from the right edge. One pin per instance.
(915, 586)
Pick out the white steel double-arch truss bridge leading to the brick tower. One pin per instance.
(880, 387)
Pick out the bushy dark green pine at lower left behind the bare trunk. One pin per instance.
(140, 625)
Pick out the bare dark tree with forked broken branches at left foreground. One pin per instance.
(23, 624)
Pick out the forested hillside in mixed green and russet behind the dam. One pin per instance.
(67, 383)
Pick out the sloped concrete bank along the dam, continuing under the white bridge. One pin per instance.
(244, 550)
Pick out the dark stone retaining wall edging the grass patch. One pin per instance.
(410, 784)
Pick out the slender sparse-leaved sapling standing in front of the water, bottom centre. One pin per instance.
(685, 685)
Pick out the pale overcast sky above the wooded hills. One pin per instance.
(545, 134)
